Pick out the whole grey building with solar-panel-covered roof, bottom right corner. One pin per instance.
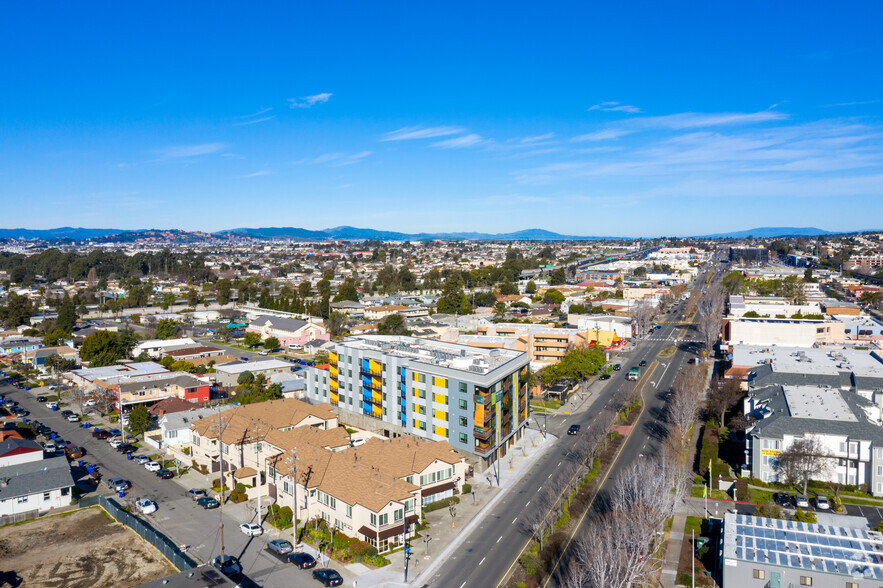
(763, 552)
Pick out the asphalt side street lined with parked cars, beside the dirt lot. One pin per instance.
(179, 517)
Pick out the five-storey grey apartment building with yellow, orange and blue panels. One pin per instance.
(476, 399)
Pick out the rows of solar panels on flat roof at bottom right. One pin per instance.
(812, 547)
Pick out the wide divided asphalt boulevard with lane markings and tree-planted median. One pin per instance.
(488, 556)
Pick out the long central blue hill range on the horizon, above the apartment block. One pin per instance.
(355, 233)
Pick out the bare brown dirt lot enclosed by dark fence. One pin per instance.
(86, 548)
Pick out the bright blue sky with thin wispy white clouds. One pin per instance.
(582, 118)
